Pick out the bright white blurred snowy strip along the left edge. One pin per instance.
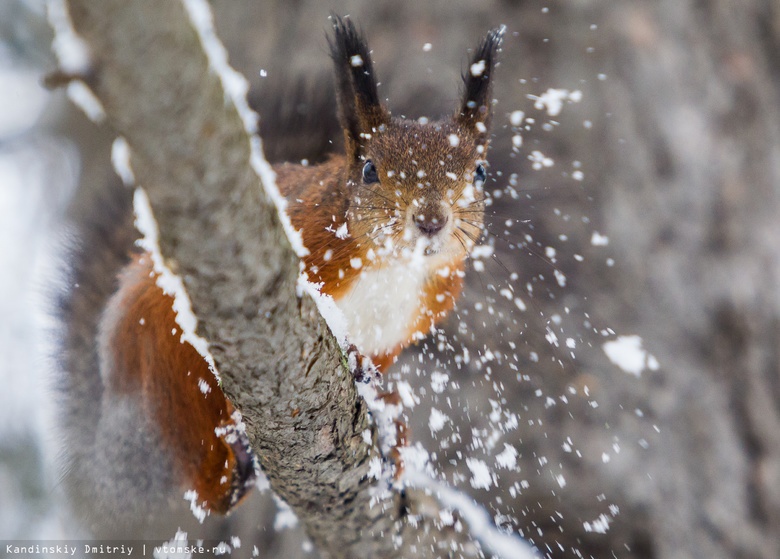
(38, 171)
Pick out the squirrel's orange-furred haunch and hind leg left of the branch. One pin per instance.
(144, 357)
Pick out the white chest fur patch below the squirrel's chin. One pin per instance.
(382, 304)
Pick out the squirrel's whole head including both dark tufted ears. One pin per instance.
(414, 186)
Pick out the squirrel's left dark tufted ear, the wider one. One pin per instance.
(360, 110)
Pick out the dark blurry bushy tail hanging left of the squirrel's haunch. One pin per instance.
(100, 243)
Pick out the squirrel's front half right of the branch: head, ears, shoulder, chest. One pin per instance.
(390, 223)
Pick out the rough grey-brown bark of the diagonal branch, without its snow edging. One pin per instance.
(279, 363)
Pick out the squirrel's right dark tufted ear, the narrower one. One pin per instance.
(475, 109)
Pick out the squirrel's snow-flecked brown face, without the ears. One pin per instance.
(417, 189)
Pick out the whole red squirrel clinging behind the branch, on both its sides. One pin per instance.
(388, 226)
